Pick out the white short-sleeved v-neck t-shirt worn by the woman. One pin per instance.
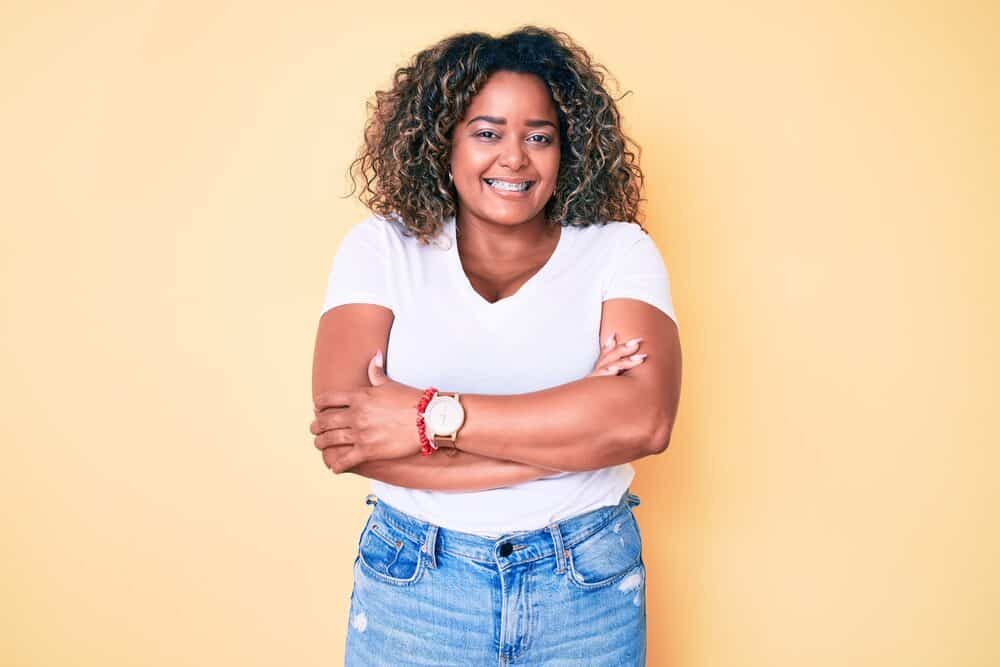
(446, 335)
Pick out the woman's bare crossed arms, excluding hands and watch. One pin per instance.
(586, 424)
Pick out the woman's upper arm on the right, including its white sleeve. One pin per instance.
(638, 304)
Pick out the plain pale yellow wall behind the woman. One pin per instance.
(822, 182)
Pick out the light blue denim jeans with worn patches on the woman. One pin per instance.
(567, 595)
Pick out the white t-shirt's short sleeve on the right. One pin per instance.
(639, 272)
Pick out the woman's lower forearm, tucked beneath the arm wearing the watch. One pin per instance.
(464, 471)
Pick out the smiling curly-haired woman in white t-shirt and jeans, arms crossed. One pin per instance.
(497, 429)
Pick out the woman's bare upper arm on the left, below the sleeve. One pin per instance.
(347, 339)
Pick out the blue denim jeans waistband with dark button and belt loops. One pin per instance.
(509, 549)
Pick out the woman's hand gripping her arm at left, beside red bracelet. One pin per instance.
(367, 424)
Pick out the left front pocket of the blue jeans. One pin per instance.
(388, 554)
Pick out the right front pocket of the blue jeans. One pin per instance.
(608, 555)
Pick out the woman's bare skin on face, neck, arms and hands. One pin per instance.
(503, 241)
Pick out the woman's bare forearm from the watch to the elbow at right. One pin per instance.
(586, 424)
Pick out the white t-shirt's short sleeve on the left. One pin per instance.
(359, 272)
